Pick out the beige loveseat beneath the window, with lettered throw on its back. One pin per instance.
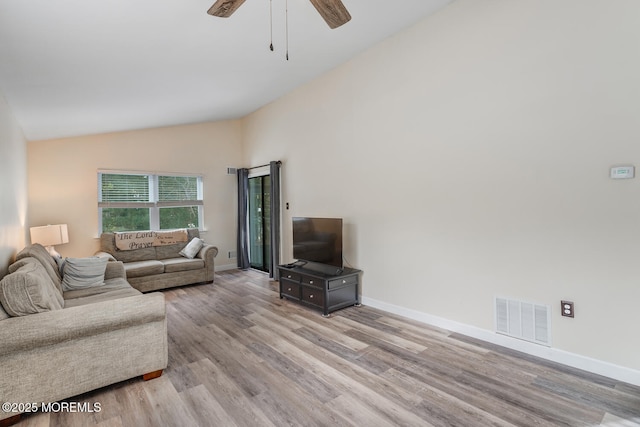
(160, 267)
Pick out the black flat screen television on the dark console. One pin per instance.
(318, 240)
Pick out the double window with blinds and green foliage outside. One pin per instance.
(139, 201)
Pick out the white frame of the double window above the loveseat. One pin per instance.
(154, 204)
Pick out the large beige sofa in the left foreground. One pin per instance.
(57, 344)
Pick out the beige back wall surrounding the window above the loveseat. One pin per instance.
(63, 177)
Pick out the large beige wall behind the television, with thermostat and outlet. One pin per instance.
(469, 157)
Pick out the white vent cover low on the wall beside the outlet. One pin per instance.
(524, 320)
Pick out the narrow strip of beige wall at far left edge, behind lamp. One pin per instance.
(13, 186)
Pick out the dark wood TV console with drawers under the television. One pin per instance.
(327, 292)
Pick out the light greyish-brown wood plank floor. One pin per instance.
(240, 356)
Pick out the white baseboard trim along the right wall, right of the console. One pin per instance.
(574, 360)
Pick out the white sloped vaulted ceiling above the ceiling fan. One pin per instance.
(78, 67)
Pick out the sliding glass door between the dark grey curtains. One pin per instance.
(259, 222)
